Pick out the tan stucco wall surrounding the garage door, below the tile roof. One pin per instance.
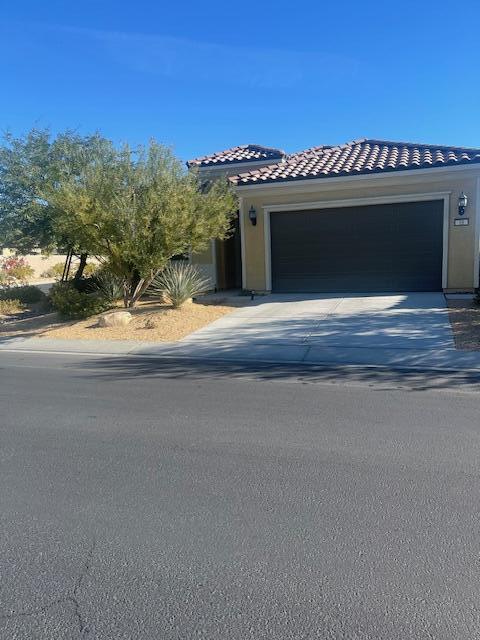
(462, 241)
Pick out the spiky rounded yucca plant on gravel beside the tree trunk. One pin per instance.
(179, 282)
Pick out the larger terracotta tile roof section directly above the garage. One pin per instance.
(356, 158)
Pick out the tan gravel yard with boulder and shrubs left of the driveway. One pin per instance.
(152, 322)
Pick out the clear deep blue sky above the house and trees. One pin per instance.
(203, 76)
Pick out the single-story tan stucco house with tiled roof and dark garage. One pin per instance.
(365, 216)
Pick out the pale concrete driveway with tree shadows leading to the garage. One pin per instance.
(410, 329)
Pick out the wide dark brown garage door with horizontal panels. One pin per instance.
(386, 247)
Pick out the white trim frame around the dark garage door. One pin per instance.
(334, 204)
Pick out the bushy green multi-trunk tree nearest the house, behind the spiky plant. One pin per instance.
(137, 210)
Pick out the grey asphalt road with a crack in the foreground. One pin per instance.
(142, 500)
